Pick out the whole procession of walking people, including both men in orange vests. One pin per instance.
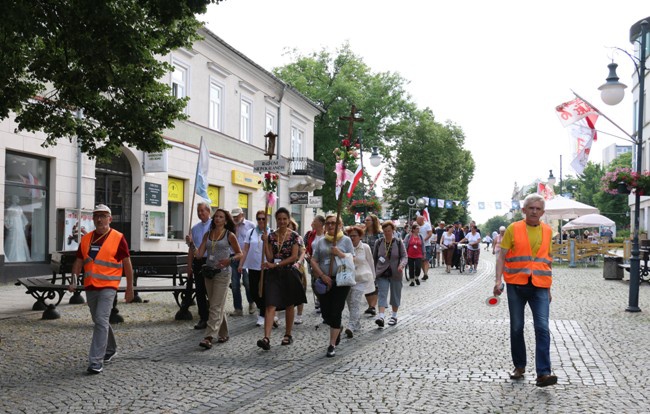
(278, 277)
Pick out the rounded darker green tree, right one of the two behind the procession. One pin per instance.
(430, 161)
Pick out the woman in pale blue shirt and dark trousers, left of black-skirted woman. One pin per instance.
(252, 260)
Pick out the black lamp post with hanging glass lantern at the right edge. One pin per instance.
(612, 93)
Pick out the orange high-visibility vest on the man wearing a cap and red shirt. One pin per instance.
(104, 271)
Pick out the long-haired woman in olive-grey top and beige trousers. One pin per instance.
(217, 242)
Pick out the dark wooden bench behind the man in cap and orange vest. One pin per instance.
(45, 288)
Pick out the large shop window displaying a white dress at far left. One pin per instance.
(26, 204)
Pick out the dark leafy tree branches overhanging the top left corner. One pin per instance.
(100, 57)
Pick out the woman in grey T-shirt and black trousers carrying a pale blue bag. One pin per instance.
(324, 266)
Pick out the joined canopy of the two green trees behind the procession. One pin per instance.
(392, 122)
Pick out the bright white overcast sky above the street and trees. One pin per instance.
(496, 69)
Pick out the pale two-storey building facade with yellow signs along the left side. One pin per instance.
(233, 104)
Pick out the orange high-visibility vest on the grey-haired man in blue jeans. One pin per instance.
(520, 265)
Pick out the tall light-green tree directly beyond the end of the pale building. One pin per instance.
(336, 81)
